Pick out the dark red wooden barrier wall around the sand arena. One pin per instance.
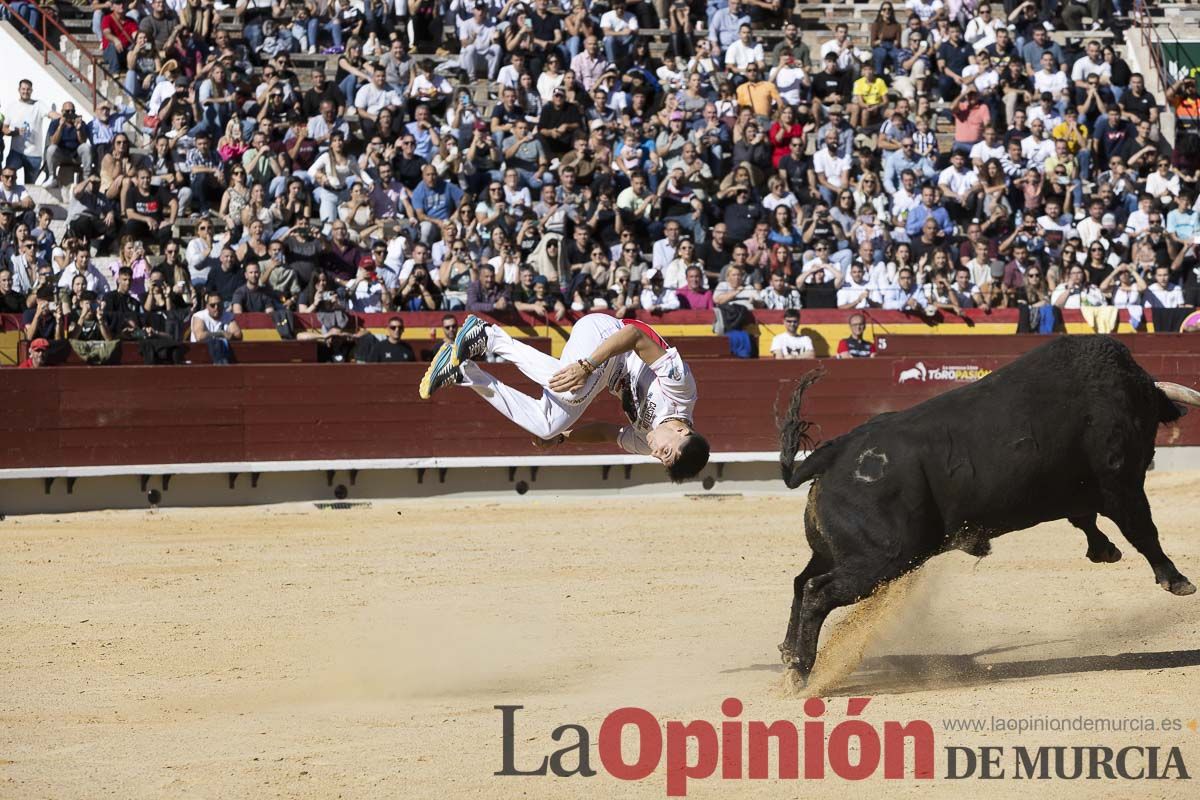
(137, 416)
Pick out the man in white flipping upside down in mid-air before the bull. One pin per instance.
(628, 358)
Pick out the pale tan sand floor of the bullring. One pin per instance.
(293, 653)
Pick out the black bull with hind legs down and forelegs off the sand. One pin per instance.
(1067, 431)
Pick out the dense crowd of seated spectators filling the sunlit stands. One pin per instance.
(578, 155)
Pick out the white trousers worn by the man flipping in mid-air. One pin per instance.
(554, 412)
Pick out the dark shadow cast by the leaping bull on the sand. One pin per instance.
(901, 675)
